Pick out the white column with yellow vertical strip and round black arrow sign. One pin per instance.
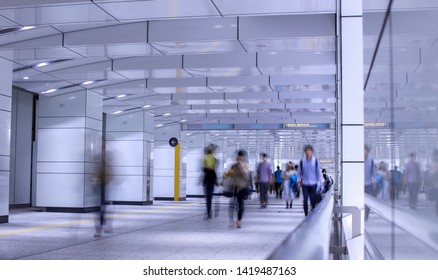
(169, 182)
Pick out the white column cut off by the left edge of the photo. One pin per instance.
(5, 133)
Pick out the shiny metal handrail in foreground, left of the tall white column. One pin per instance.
(311, 239)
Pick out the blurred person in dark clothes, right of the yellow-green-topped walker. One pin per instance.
(239, 181)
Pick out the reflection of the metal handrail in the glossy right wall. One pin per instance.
(410, 222)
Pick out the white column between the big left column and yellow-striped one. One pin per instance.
(129, 144)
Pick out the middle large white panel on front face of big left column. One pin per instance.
(61, 145)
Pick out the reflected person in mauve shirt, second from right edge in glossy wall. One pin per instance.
(413, 180)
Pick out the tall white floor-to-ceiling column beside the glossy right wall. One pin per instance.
(351, 118)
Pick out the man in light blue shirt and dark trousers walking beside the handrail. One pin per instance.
(309, 178)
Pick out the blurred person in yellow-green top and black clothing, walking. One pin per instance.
(210, 177)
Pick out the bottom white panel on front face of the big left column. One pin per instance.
(60, 190)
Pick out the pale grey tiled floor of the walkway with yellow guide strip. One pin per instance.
(165, 230)
